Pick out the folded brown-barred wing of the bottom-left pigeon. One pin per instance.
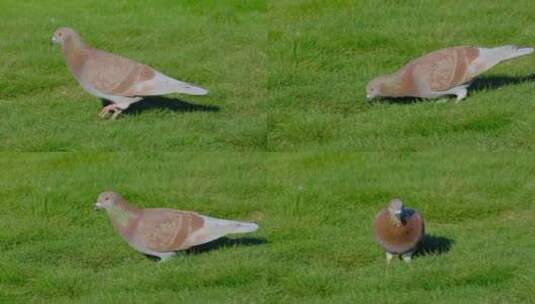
(164, 230)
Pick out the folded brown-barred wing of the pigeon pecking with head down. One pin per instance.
(443, 69)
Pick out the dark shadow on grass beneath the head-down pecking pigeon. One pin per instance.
(478, 84)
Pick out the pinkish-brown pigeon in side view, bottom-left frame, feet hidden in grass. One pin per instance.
(161, 232)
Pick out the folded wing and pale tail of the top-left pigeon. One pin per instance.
(115, 75)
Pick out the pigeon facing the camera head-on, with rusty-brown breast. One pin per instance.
(398, 230)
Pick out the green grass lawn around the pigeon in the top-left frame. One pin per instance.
(219, 45)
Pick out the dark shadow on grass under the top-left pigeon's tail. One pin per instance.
(164, 103)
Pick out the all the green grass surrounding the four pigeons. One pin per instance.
(294, 147)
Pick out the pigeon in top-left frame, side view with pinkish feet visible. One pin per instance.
(113, 78)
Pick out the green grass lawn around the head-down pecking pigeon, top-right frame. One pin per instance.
(323, 53)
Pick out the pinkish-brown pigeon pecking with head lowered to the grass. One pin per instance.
(443, 72)
